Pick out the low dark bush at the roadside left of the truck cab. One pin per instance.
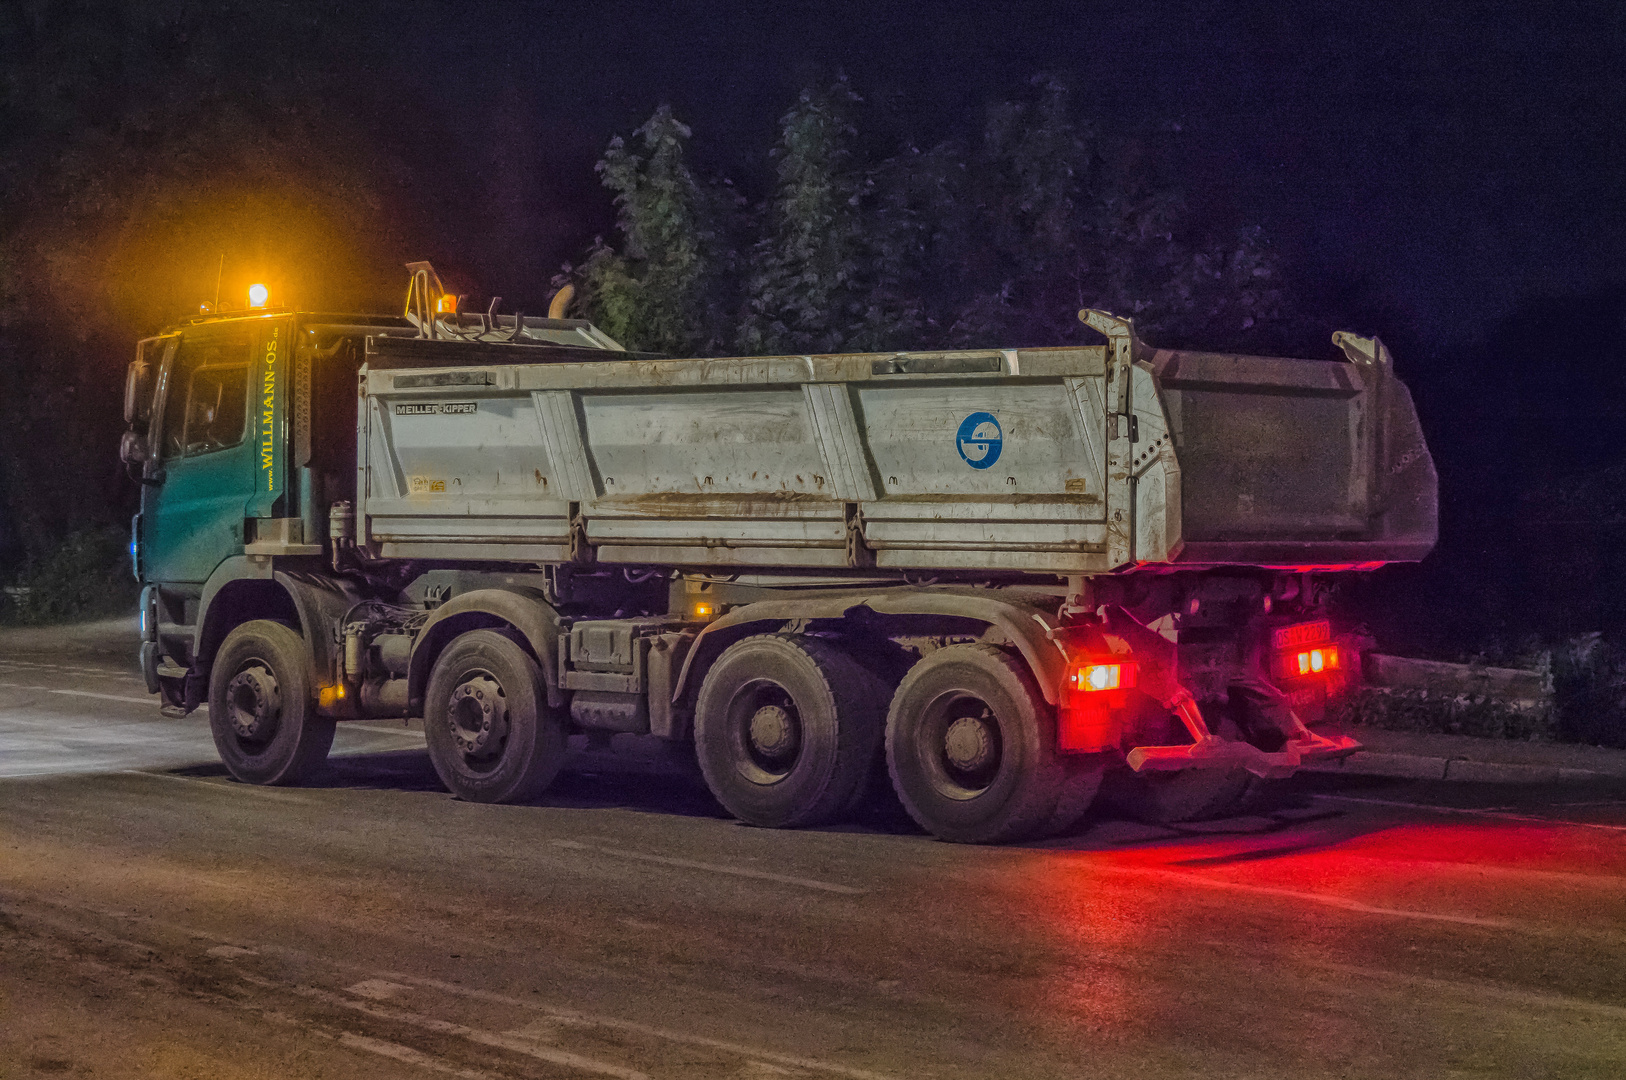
(85, 577)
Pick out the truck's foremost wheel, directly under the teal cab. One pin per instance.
(261, 708)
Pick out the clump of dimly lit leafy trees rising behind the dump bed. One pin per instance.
(996, 240)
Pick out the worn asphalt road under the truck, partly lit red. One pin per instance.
(159, 920)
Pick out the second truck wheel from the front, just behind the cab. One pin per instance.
(492, 736)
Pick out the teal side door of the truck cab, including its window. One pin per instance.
(193, 518)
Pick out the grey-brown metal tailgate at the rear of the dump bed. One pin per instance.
(1298, 463)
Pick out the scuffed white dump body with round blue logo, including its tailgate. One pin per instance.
(1064, 461)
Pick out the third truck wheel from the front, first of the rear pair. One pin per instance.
(786, 729)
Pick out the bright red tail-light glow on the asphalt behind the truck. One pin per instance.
(1341, 886)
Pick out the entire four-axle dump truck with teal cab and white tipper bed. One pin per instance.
(1014, 583)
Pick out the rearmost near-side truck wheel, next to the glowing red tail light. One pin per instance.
(972, 747)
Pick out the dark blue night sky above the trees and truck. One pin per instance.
(1456, 163)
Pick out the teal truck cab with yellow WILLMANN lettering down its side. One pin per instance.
(240, 437)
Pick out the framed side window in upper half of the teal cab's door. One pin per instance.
(212, 411)
